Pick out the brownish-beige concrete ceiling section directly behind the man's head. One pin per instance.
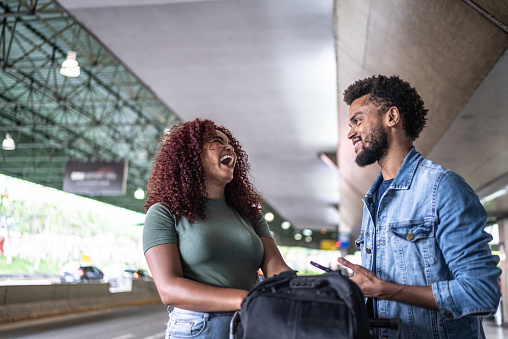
(454, 54)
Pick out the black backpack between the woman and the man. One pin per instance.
(287, 306)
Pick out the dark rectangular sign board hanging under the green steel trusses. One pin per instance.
(95, 178)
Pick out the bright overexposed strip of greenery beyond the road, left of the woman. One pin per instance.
(49, 228)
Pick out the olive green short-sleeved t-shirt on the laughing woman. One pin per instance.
(221, 250)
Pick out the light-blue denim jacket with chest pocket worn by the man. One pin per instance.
(430, 231)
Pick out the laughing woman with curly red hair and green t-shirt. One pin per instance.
(204, 236)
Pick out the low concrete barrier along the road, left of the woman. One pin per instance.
(22, 302)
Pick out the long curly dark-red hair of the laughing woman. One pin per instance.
(177, 178)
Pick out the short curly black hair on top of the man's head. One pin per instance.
(385, 92)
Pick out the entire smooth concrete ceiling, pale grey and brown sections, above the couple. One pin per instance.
(273, 72)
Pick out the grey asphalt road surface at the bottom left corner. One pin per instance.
(140, 322)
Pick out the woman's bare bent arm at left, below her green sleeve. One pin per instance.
(165, 265)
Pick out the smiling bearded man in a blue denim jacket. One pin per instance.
(425, 254)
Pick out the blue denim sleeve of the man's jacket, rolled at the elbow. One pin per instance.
(473, 289)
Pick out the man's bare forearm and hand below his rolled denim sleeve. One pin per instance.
(372, 287)
